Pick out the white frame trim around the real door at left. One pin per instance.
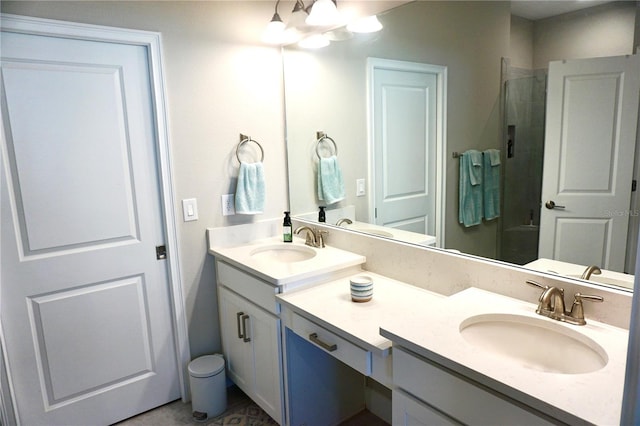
(152, 41)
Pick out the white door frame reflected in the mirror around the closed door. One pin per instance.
(441, 132)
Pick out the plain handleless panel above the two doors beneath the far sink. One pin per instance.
(259, 292)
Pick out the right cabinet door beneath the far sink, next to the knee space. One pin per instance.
(264, 332)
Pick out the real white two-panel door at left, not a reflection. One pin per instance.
(85, 303)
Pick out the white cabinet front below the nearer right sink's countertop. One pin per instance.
(426, 393)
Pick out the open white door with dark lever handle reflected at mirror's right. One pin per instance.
(592, 112)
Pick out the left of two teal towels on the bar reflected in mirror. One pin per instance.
(470, 194)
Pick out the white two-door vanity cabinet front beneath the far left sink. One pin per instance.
(251, 337)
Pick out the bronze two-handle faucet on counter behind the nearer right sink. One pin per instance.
(551, 304)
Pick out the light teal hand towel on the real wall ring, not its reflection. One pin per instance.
(250, 190)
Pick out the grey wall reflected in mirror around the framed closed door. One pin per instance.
(327, 91)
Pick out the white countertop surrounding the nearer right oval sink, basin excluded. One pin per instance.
(434, 333)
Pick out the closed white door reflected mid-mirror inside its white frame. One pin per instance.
(405, 134)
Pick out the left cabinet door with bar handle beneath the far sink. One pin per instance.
(237, 352)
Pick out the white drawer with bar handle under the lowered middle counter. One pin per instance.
(352, 355)
